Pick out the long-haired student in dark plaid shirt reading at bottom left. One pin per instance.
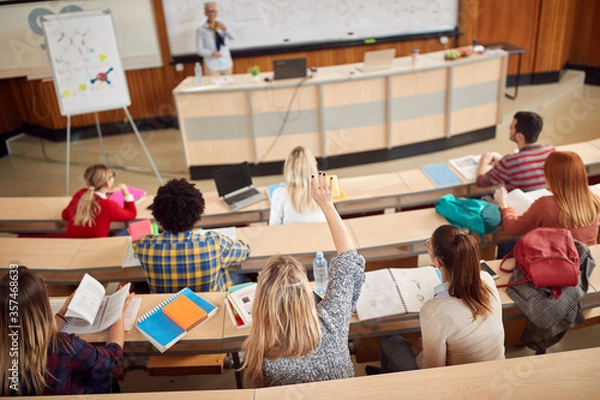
(50, 362)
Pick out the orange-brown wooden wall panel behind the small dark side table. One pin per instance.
(514, 22)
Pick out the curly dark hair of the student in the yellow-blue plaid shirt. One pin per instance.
(178, 206)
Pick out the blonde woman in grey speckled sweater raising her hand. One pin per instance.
(291, 339)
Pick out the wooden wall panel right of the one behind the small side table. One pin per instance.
(554, 35)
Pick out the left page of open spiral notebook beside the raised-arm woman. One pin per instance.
(379, 296)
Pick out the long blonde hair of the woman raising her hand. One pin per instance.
(284, 317)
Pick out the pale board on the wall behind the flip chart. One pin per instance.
(23, 47)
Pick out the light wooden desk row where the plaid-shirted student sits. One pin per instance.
(377, 237)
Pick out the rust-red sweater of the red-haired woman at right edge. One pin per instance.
(543, 213)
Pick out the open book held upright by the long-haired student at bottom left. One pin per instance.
(90, 312)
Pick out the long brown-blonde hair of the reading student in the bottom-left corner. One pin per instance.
(36, 331)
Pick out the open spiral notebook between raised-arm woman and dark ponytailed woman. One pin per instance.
(395, 291)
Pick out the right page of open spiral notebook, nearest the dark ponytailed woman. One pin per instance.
(416, 285)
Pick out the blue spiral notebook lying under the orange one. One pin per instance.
(160, 330)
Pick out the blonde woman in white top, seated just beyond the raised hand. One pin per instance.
(292, 204)
